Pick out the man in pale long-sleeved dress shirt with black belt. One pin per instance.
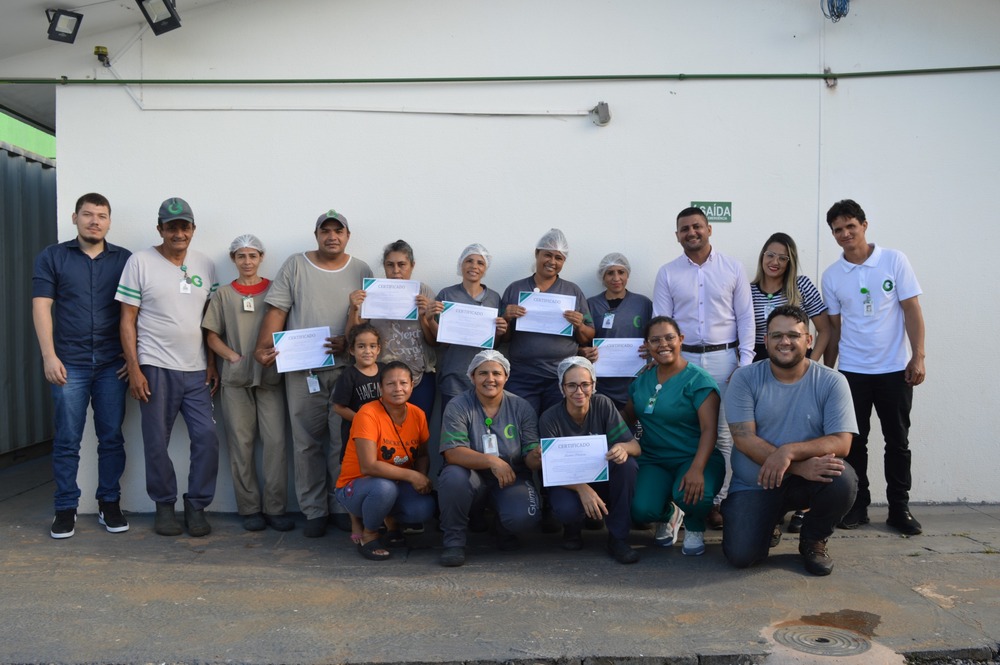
(708, 294)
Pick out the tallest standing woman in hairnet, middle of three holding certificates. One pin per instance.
(535, 356)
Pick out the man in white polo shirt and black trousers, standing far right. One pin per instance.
(872, 294)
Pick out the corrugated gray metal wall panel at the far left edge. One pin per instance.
(28, 224)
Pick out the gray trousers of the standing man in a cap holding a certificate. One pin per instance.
(315, 442)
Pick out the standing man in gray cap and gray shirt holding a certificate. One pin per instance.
(313, 289)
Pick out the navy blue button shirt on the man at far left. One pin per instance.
(85, 312)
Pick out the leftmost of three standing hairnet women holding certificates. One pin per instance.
(454, 359)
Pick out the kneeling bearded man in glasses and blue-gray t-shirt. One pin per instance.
(792, 421)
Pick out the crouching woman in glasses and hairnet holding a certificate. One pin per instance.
(583, 412)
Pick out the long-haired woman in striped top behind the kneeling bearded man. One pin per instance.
(778, 282)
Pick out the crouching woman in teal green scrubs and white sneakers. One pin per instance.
(678, 405)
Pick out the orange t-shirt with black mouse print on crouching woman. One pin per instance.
(395, 444)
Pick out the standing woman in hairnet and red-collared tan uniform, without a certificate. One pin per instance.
(253, 397)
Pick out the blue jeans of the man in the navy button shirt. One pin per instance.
(88, 385)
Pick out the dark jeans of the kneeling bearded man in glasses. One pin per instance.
(750, 515)
